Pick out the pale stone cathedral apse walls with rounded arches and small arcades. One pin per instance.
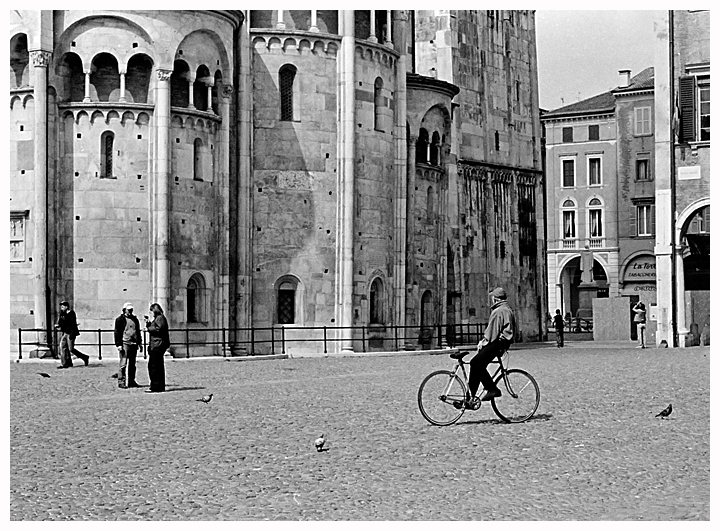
(276, 170)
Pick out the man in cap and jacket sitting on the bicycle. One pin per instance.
(497, 338)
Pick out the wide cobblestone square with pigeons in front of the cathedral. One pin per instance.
(83, 449)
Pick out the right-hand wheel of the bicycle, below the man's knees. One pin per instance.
(520, 396)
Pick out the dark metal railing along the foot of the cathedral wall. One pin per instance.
(277, 339)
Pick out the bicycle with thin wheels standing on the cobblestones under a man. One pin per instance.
(442, 394)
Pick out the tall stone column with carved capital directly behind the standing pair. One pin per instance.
(162, 189)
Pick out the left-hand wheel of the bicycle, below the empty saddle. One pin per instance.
(441, 398)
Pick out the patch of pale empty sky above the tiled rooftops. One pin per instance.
(580, 52)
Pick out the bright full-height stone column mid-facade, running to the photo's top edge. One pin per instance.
(346, 177)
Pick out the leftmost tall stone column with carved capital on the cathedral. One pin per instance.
(40, 61)
